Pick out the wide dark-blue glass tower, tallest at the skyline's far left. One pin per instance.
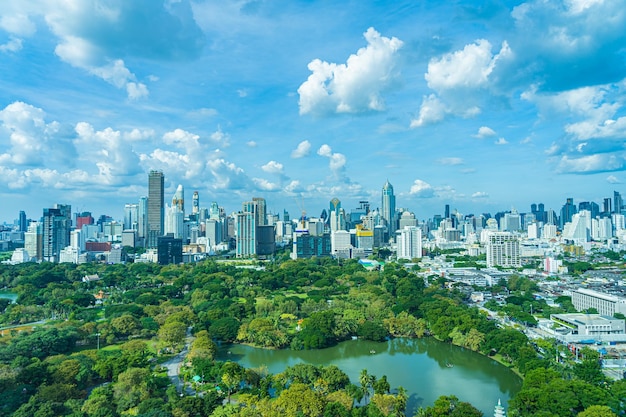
(56, 231)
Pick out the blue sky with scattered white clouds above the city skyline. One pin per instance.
(485, 106)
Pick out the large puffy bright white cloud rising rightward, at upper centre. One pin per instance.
(356, 86)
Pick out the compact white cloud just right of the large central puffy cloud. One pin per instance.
(470, 67)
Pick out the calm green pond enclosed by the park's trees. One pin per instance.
(420, 366)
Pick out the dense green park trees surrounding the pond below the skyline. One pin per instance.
(100, 348)
